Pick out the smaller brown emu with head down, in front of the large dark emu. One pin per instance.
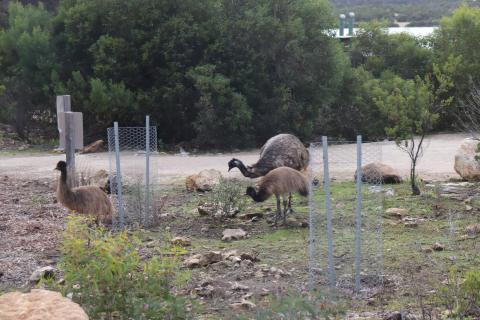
(279, 182)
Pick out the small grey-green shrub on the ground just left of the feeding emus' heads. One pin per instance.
(228, 197)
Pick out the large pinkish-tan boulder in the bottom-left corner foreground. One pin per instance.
(39, 305)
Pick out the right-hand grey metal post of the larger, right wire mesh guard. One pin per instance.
(358, 216)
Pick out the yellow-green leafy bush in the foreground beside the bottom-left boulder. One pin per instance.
(105, 275)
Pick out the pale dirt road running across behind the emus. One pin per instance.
(436, 164)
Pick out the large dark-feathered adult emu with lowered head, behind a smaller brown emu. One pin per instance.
(282, 150)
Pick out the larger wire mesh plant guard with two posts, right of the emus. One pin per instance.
(345, 246)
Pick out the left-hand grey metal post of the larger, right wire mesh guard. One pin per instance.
(328, 209)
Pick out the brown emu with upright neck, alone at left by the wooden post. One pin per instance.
(88, 200)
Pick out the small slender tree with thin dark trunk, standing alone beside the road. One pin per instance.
(412, 108)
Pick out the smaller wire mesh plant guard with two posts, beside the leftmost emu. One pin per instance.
(133, 174)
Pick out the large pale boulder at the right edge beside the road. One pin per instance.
(465, 163)
